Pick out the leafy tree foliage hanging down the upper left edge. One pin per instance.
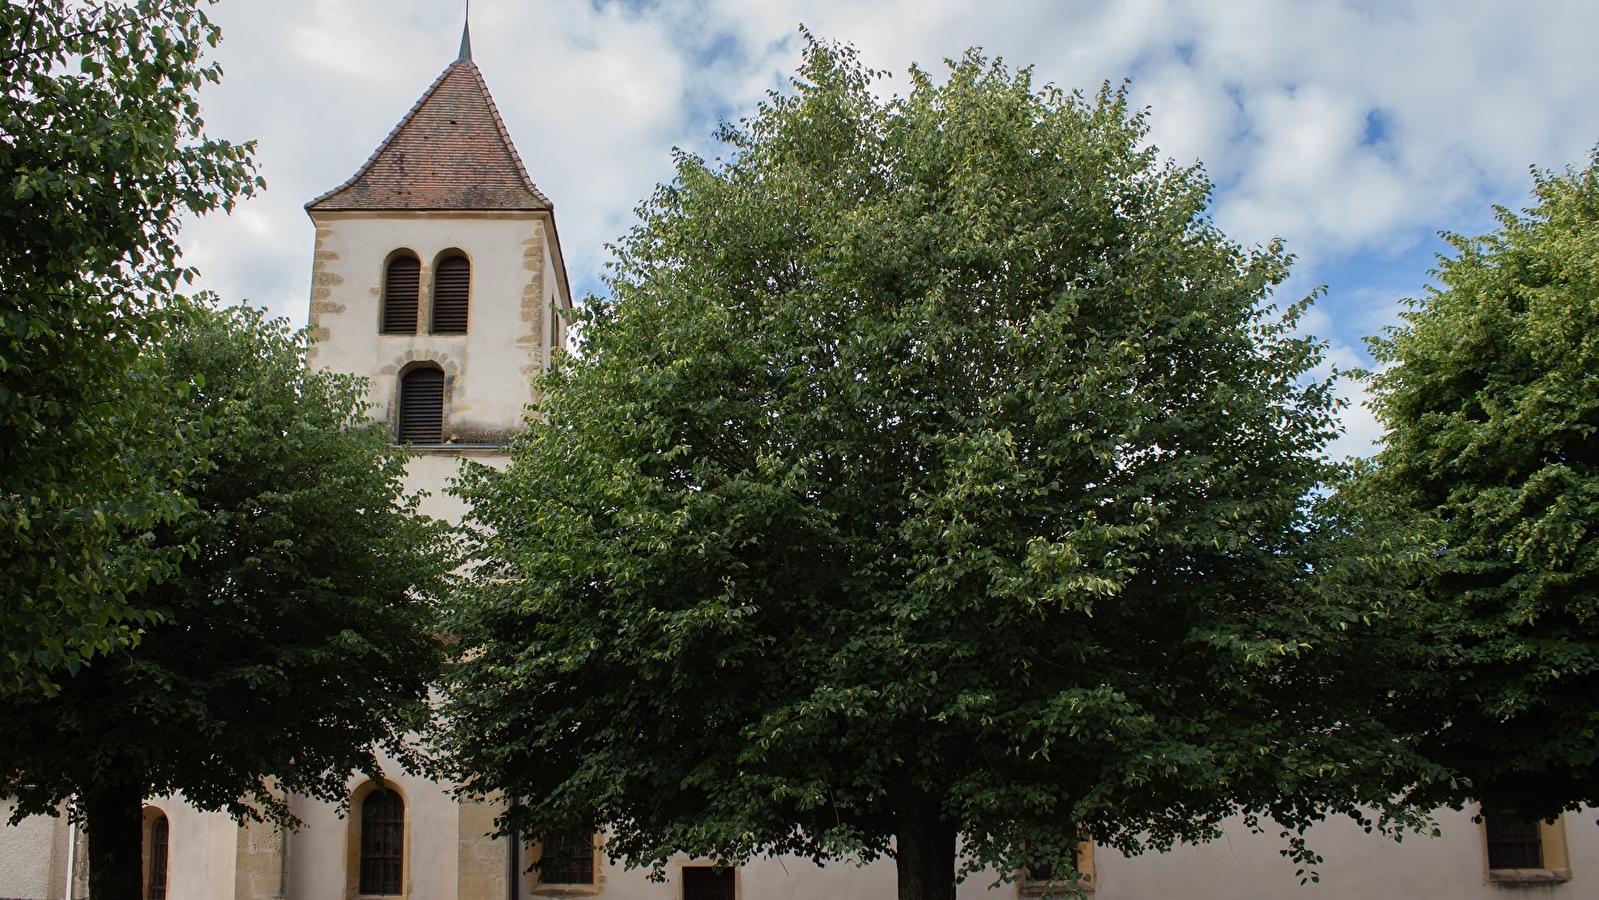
(102, 154)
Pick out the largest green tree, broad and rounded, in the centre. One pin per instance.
(933, 485)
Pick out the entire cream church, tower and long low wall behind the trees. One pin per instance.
(439, 276)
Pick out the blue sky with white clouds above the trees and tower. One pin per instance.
(1354, 130)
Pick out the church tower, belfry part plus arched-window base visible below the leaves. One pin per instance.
(439, 277)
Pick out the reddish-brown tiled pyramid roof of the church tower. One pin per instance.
(450, 153)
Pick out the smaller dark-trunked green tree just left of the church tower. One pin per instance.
(295, 642)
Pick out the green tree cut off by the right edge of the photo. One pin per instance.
(1491, 464)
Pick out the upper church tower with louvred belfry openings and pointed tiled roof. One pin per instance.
(439, 276)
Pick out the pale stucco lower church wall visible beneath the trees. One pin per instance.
(444, 845)
